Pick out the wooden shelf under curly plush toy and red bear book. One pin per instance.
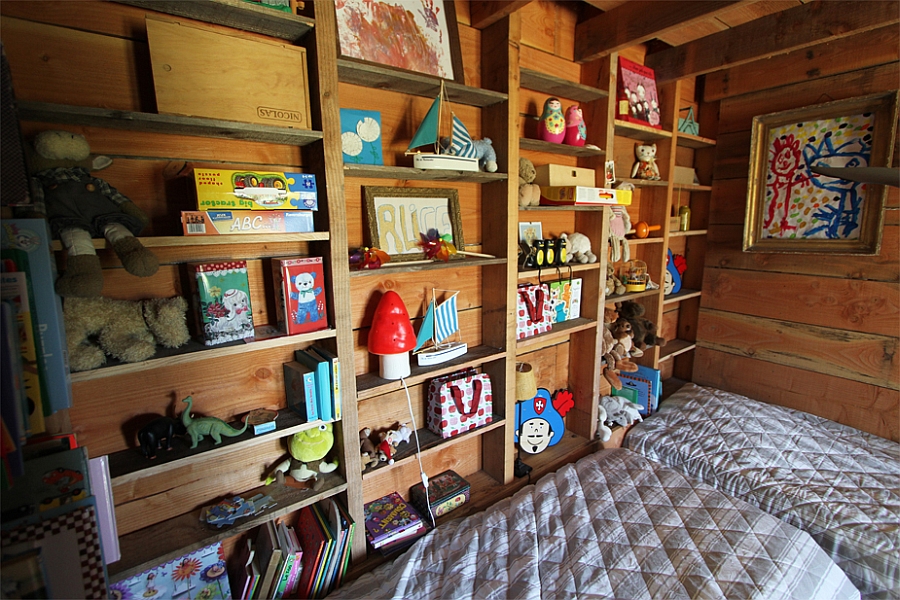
(196, 351)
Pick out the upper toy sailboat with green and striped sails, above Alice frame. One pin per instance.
(461, 154)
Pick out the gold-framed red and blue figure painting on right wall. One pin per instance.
(790, 209)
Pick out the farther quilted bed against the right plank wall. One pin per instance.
(840, 485)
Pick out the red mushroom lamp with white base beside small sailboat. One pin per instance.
(392, 336)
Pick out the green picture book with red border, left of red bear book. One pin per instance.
(221, 296)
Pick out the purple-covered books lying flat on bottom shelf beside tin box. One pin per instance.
(392, 524)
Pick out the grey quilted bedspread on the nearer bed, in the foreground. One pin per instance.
(612, 525)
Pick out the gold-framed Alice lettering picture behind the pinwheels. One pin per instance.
(397, 216)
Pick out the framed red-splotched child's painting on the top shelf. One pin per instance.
(413, 36)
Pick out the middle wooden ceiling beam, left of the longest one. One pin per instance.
(638, 21)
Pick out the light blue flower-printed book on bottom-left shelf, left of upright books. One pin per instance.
(198, 574)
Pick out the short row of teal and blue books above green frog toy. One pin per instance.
(314, 376)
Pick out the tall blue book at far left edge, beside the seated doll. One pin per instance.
(33, 237)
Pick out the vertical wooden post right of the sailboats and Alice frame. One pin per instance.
(500, 72)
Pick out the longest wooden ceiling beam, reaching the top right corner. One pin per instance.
(779, 33)
